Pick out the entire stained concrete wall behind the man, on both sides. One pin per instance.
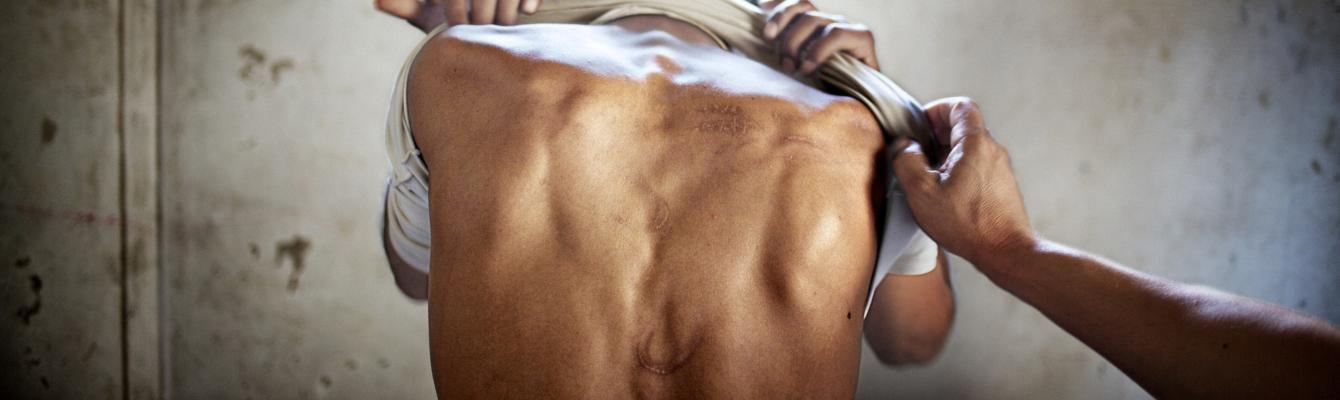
(195, 184)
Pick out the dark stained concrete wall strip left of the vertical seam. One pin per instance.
(60, 224)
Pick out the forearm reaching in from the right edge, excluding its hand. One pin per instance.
(1165, 335)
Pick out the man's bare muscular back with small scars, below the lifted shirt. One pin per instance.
(621, 215)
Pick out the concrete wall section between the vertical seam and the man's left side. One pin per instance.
(274, 164)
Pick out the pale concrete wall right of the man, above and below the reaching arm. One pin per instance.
(1191, 140)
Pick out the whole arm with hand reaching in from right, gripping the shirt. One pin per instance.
(1176, 340)
